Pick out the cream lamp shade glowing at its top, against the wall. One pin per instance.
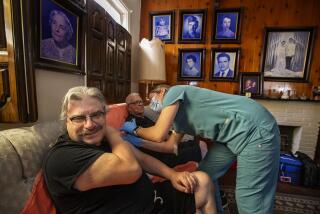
(152, 60)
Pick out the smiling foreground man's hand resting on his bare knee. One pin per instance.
(184, 181)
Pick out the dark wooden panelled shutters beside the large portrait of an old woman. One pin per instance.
(108, 55)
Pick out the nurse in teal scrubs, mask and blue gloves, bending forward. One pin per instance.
(242, 130)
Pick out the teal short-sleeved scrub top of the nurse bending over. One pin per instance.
(224, 118)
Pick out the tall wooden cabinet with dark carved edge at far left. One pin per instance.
(17, 83)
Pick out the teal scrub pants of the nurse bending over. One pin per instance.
(257, 171)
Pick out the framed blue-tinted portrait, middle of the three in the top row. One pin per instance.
(192, 26)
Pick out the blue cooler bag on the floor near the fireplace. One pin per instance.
(290, 169)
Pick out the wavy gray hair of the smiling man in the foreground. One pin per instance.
(79, 93)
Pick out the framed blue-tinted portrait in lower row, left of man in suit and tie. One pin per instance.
(191, 64)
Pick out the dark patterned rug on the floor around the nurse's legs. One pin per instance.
(284, 203)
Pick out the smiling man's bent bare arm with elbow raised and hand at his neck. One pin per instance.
(118, 167)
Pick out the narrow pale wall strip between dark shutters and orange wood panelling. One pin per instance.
(134, 27)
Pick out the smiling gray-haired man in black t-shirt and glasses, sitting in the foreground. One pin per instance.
(92, 170)
